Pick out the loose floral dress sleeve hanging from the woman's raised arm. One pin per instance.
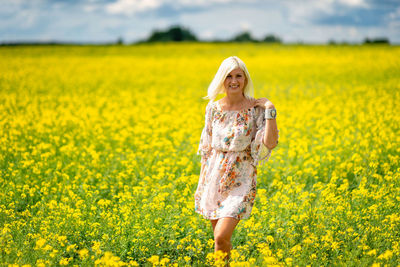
(259, 151)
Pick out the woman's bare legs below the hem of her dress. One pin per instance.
(223, 230)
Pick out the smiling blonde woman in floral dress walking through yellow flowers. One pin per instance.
(239, 132)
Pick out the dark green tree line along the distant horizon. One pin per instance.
(181, 34)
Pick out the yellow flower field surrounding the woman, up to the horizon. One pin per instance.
(98, 161)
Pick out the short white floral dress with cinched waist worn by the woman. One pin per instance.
(230, 147)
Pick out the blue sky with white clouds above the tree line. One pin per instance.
(315, 21)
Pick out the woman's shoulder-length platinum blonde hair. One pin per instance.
(216, 86)
